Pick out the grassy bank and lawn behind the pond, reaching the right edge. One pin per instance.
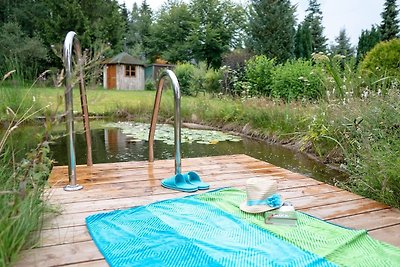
(361, 135)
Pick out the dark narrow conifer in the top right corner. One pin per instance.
(390, 23)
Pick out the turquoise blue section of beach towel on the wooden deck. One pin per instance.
(189, 232)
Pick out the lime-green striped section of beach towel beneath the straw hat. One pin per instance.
(339, 245)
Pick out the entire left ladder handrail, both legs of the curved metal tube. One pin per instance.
(69, 41)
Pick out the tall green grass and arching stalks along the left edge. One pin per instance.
(21, 183)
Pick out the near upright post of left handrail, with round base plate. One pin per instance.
(68, 43)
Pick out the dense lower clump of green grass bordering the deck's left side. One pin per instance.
(21, 206)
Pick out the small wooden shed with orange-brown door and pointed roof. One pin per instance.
(124, 72)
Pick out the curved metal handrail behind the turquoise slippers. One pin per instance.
(177, 117)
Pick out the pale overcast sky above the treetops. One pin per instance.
(352, 15)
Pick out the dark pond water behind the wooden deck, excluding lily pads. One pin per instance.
(113, 145)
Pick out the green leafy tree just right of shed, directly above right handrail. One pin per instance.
(175, 18)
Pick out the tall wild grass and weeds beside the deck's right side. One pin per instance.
(369, 129)
